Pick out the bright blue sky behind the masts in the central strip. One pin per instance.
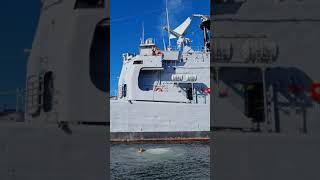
(126, 26)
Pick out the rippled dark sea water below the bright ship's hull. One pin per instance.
(160, 161)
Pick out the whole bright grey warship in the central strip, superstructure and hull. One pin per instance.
(164, 94)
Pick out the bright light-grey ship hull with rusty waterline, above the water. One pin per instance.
(158, 121)
